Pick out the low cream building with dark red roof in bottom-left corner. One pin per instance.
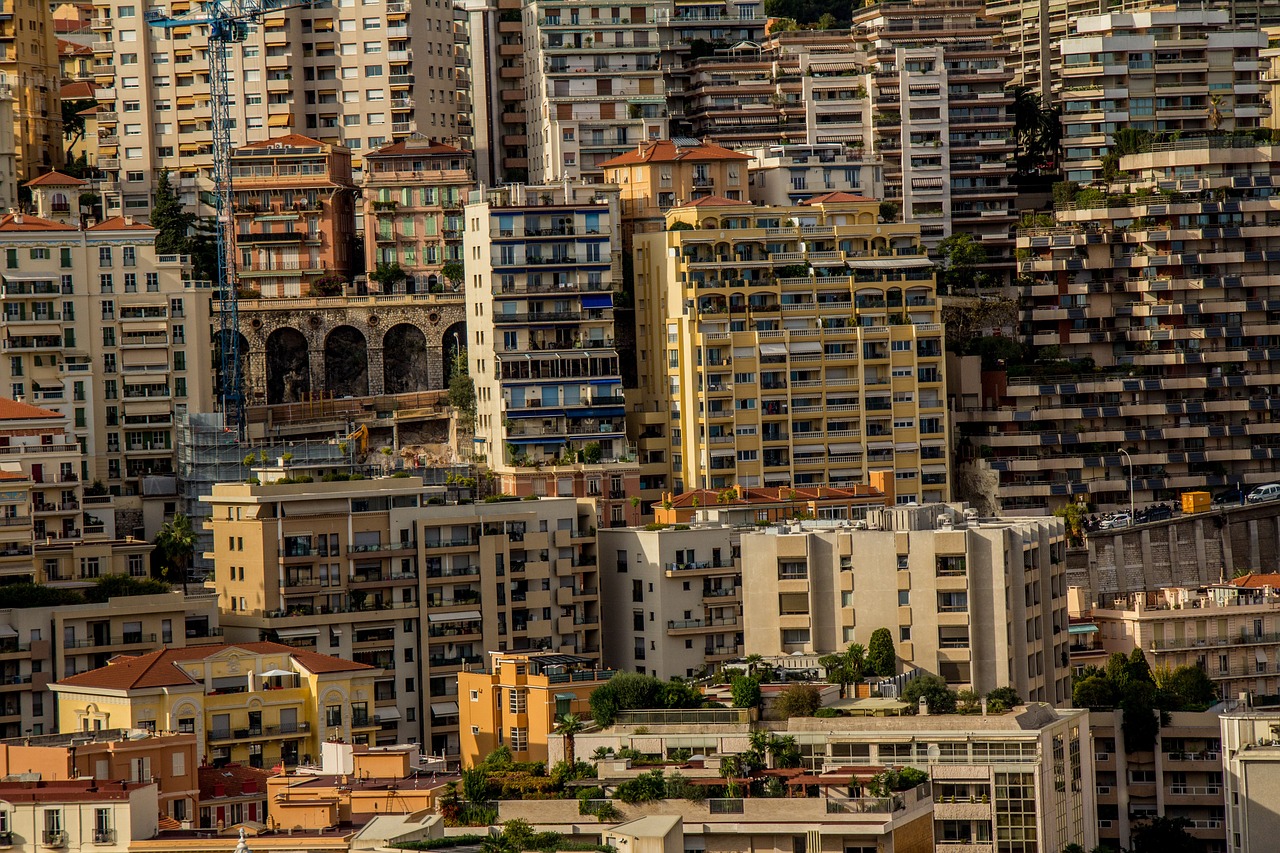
(79, 814)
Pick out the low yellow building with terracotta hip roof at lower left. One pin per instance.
(255, 704)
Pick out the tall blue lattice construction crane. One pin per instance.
(228, 24)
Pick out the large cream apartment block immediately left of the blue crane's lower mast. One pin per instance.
(141, 354)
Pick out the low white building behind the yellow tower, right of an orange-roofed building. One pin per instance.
(789, 175)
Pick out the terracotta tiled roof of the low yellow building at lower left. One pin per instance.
(159, 669)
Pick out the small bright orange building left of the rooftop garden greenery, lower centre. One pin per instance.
(519, 700)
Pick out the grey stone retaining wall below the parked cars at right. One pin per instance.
(1190, 550)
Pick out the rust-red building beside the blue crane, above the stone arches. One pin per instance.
(294, 206)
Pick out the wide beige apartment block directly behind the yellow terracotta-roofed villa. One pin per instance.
(382, 573)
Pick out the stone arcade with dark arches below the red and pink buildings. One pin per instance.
(349, 346)
